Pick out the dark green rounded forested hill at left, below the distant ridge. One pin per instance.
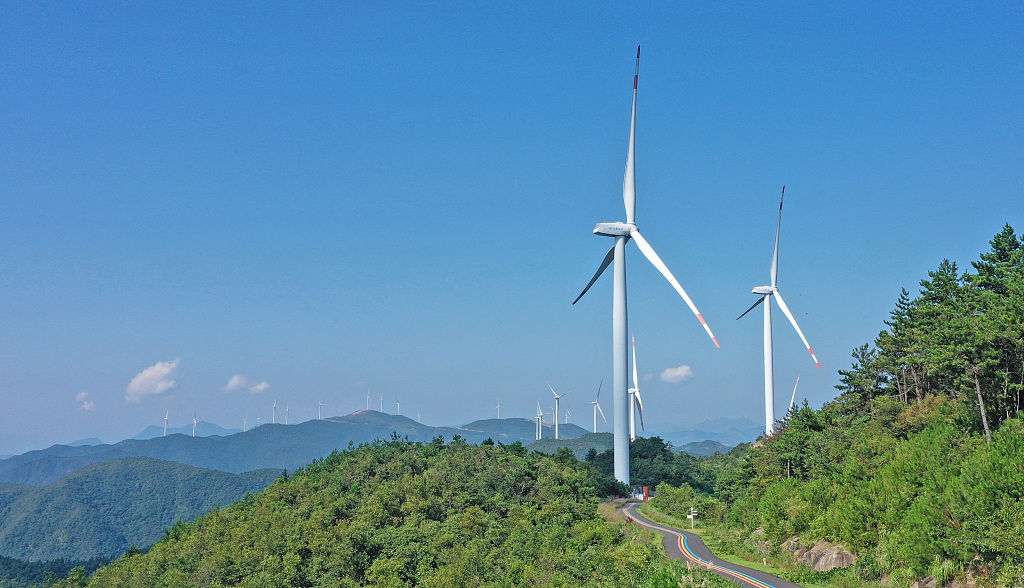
(105, 509)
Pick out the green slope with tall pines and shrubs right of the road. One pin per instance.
(917, 468)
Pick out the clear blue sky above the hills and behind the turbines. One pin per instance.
(322, 198)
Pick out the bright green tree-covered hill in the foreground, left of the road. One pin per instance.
(409, 515)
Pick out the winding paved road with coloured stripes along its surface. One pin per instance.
(680, 544)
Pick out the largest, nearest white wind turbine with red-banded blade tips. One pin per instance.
(623, 233)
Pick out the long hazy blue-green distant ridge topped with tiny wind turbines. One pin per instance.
(270, 446)
